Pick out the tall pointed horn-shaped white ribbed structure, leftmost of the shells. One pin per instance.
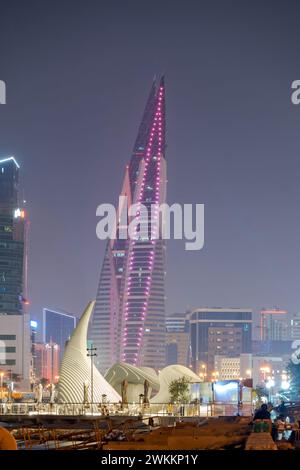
(75, 372)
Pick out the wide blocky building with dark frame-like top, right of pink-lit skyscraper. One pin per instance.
(218, 332)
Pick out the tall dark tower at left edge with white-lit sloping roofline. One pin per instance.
(14, 318)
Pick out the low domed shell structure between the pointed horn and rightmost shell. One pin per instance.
(135, 377)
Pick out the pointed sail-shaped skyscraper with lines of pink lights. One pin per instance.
(129, 318)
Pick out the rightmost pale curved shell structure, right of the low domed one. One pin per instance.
(166, 376)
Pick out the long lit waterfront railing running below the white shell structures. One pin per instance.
(131, 409)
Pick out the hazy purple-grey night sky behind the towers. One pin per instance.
(78, 74)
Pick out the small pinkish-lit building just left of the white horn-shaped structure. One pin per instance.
(47, 361)
